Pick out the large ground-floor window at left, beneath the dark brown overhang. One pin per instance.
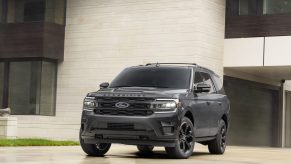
(32, 87)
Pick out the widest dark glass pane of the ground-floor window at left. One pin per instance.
(24, 87)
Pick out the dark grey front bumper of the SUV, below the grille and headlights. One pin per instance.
(158, 129)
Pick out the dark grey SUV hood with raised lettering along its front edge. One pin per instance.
(139, 92)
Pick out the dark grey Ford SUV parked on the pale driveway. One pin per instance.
(165, 104)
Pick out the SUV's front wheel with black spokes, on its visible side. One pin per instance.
(186, 141)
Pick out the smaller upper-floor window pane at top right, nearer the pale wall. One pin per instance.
(247, 7)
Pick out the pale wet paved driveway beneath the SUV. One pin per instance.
(121, 154)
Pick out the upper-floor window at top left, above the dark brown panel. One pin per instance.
(36, 11)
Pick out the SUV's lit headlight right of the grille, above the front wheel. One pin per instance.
(164, 104)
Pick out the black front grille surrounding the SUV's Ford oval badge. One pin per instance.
(137, 106)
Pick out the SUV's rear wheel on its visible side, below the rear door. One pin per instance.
(218, 145)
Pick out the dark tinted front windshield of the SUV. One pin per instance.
(157, 77)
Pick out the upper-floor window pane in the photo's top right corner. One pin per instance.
(277, 6)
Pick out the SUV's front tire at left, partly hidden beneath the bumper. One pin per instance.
(97, 150)
